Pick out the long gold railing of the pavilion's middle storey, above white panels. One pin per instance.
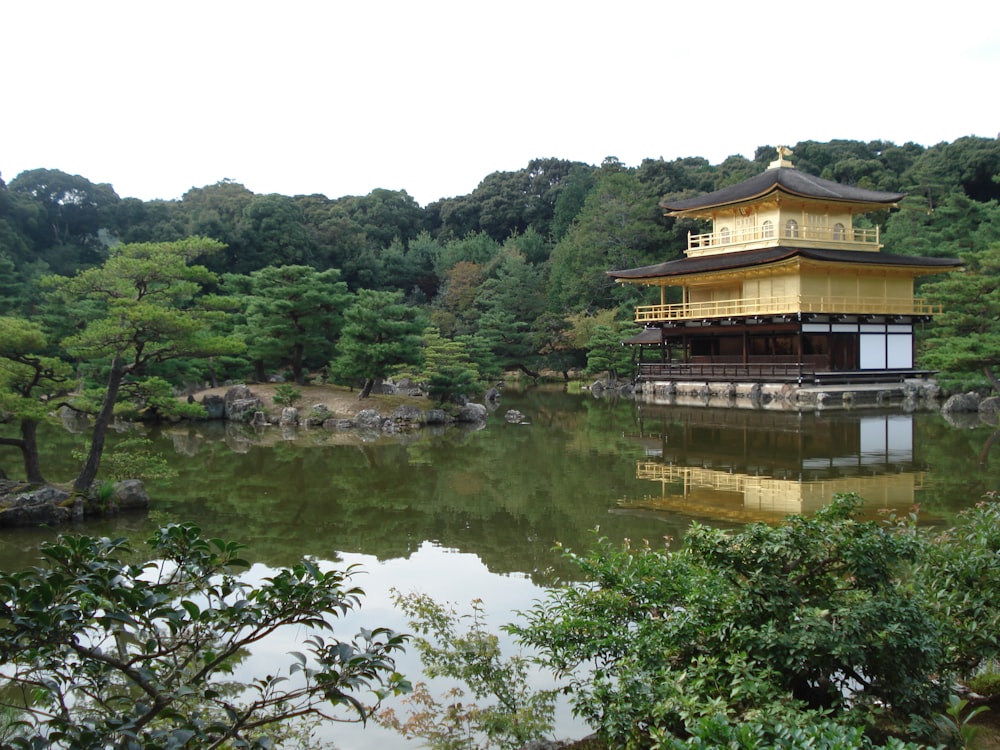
(784, 305)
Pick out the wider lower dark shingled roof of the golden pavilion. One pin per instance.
(747, 258)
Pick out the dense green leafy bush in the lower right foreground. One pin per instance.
(827, 628)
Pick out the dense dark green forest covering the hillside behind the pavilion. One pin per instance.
(515, 270)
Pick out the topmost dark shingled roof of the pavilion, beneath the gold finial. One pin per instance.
(788, 180)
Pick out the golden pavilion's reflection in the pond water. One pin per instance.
(739, 466)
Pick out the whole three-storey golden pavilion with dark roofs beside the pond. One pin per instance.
(785, 291)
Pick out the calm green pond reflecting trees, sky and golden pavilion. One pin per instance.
(474, 513)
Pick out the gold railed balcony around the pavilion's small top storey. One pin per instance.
(836, 237)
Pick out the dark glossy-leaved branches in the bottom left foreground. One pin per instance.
(98, 651)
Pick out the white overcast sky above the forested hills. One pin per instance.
(430, 96)
